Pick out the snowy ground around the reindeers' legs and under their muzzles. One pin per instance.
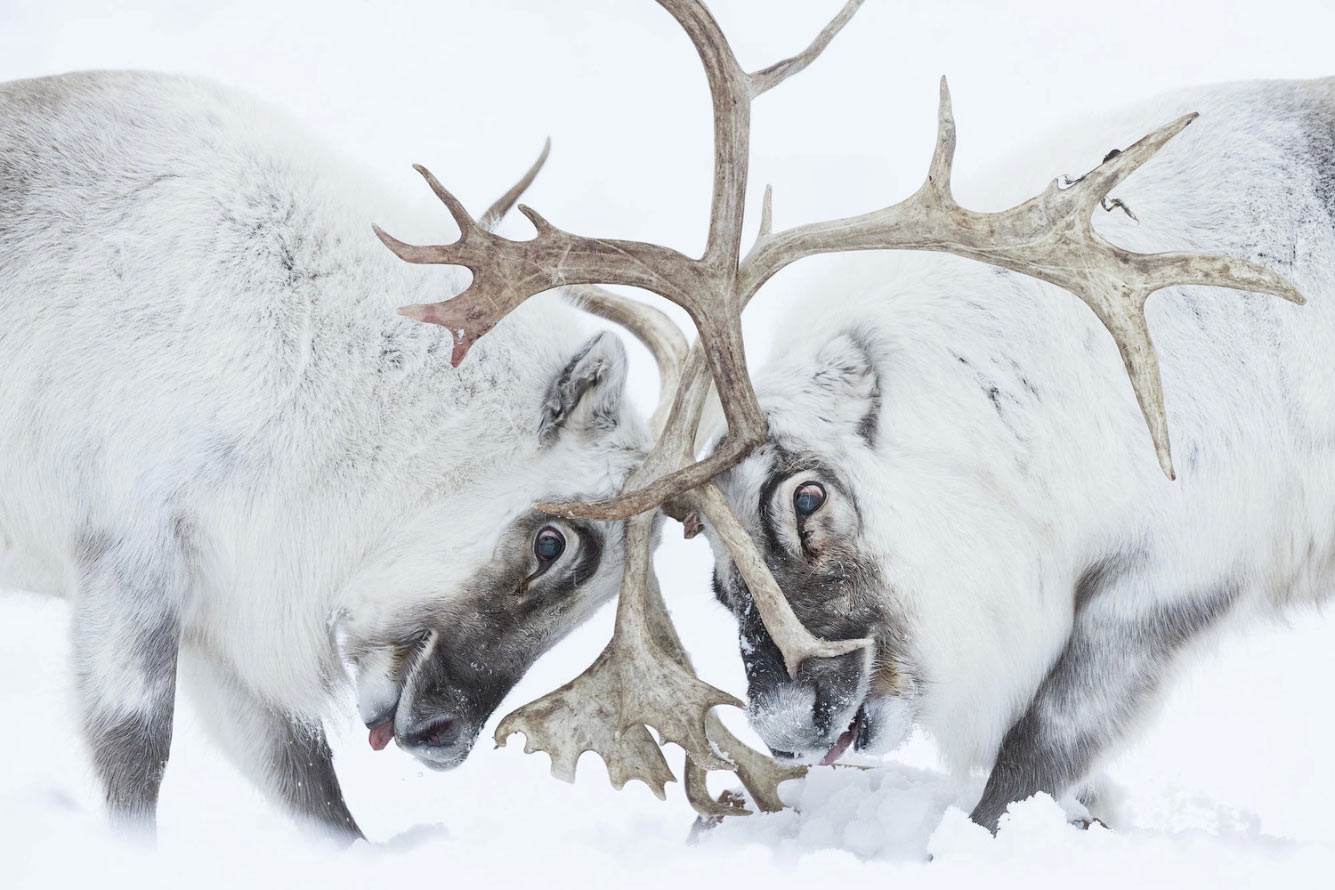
(1208, 799)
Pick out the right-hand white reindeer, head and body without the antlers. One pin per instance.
(958, 469)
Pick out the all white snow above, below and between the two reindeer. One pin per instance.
(1228, 787)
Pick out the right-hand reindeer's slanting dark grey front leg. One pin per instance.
(1107, 673)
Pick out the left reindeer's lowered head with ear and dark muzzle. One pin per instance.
(472, 586)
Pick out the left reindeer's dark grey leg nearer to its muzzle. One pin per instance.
(284, 755)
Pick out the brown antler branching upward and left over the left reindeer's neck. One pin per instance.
(507, 273)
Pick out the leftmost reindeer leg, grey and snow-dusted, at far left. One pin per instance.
(125, 638)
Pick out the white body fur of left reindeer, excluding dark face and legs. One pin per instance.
(201, 356)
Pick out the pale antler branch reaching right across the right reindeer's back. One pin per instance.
(1050, 237)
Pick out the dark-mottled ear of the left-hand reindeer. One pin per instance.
(587, 396)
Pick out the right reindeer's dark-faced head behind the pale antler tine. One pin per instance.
(800, 496)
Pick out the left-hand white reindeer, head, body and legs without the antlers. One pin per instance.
(232, 456)
